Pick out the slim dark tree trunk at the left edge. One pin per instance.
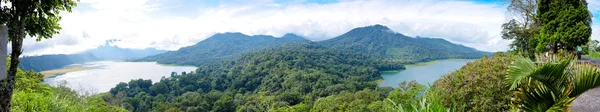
(6, 89)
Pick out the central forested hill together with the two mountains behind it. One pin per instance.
(247, 74)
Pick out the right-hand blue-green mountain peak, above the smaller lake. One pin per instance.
(380, 41)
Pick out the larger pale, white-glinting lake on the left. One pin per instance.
(107, 74)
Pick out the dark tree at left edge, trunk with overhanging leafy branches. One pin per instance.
(34, 18)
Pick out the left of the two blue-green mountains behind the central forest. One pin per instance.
(220, 47)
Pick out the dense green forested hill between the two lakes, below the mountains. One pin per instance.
(294, 74)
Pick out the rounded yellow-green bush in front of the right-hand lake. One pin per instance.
(477, 86)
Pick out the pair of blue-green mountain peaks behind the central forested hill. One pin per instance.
(376, 40)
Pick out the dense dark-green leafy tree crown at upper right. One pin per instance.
(565, 24)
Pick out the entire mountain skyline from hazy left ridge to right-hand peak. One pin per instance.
(376, 40)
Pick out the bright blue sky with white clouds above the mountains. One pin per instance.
(172, 24)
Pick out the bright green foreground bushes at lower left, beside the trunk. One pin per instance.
(31, 95)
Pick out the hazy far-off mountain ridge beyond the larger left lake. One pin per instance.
(105, 52)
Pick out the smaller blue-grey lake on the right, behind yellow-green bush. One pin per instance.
(423, 74)
